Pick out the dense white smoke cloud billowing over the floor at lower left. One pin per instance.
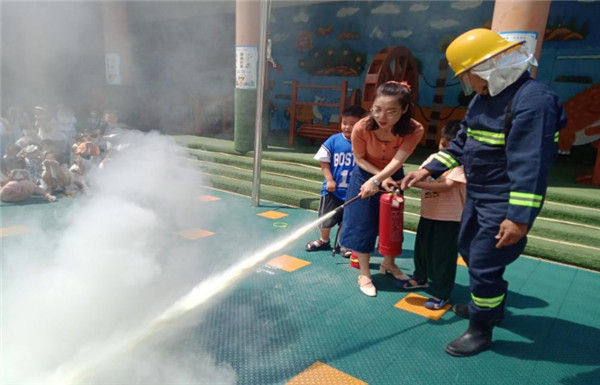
(71, 291)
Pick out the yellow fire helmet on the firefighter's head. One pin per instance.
(474, 47)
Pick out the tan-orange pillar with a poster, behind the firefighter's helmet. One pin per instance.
(520, 20)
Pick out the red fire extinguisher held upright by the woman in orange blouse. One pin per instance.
(391, 223)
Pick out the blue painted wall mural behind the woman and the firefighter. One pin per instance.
(325, 44)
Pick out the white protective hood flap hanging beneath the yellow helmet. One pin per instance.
(504, 69)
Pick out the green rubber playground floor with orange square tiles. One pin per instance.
(301, 319)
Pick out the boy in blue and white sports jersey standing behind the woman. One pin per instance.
(337, 160)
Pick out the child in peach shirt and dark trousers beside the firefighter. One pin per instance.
(436, 243)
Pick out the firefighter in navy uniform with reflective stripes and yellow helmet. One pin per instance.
(507, 143)
